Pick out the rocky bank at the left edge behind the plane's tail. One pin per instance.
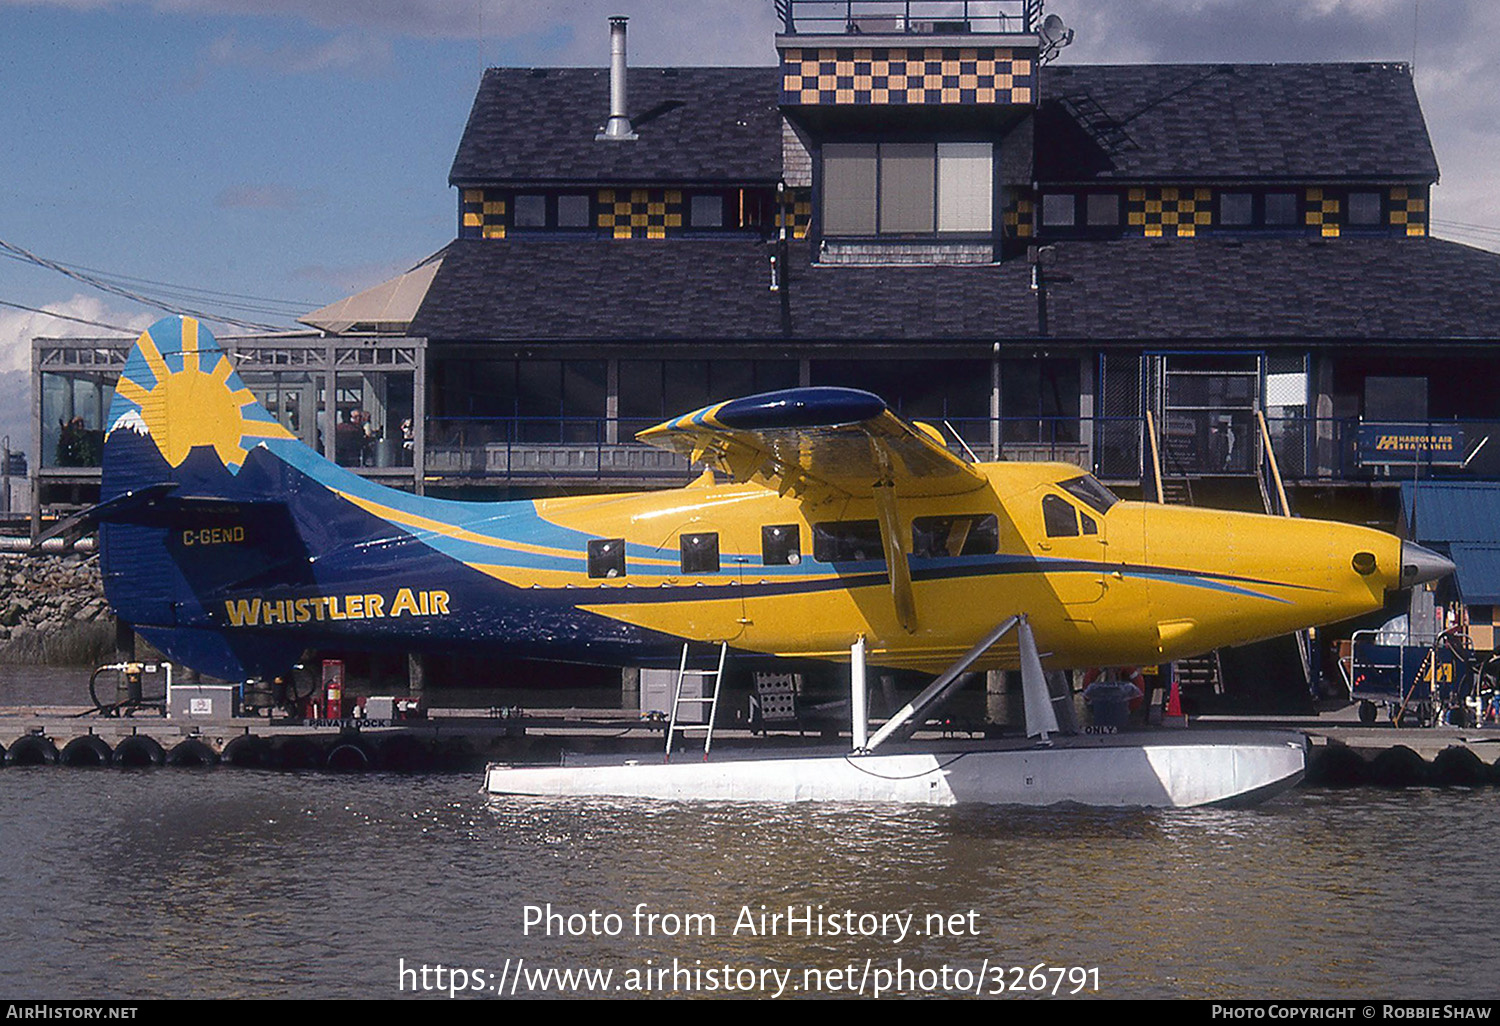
(53, 611)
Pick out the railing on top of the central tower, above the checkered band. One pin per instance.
(908, 17)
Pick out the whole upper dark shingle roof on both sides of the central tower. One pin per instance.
(1196, 124)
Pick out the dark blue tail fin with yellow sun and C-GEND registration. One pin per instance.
(199, 508)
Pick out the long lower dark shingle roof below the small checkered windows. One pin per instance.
(1214, 290)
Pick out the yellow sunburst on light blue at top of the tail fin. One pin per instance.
(181, 389)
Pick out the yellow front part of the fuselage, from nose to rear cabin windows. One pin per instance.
(1139, 584)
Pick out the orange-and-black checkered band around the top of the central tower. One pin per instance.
(880, 77)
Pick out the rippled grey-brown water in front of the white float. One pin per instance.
(229, 884)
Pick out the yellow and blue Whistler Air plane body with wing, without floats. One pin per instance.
(235, 548)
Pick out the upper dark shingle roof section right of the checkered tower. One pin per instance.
(1232, 122)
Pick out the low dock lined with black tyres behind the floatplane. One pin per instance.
(466, 740)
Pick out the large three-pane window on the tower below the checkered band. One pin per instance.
(907, 188)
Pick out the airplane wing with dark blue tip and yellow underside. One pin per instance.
(818, 445)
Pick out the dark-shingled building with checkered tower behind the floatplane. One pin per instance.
(1037, 254)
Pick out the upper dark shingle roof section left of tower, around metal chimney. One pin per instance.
(694, 125)
